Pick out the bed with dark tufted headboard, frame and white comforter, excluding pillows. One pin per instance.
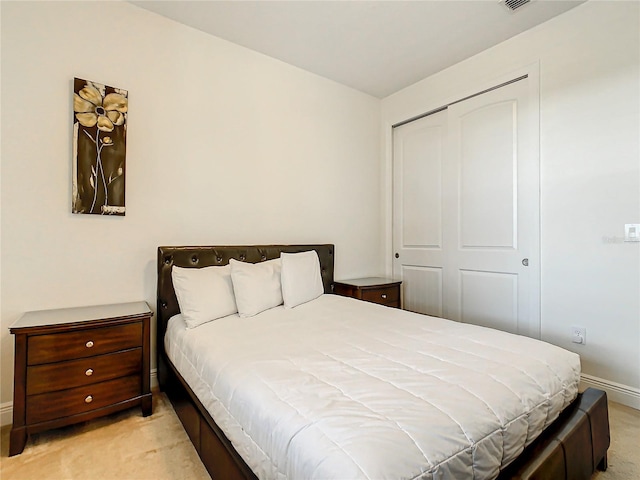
(472, 430)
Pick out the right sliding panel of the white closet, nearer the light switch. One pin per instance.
(495, 177)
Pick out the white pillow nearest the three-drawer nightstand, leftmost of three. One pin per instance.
(204, 294)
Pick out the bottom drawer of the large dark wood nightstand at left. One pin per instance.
(64, 403)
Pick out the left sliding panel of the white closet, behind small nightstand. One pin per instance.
(419, 150)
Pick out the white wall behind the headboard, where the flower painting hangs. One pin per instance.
(225, 146)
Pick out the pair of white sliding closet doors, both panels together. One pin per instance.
(483, 204)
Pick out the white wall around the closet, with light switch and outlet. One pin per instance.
(590, 175)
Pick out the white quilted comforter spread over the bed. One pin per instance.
(344, 389)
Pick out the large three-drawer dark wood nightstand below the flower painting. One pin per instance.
(76, 364)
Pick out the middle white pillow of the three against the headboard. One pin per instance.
(256, 285)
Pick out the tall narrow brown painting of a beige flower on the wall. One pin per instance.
(99, 148)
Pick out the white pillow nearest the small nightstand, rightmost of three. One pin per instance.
(301, 278)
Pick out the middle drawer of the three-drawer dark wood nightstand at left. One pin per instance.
(60, 376)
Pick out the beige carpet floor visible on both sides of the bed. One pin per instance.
(127, 446)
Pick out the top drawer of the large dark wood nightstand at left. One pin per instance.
(83, 343)
